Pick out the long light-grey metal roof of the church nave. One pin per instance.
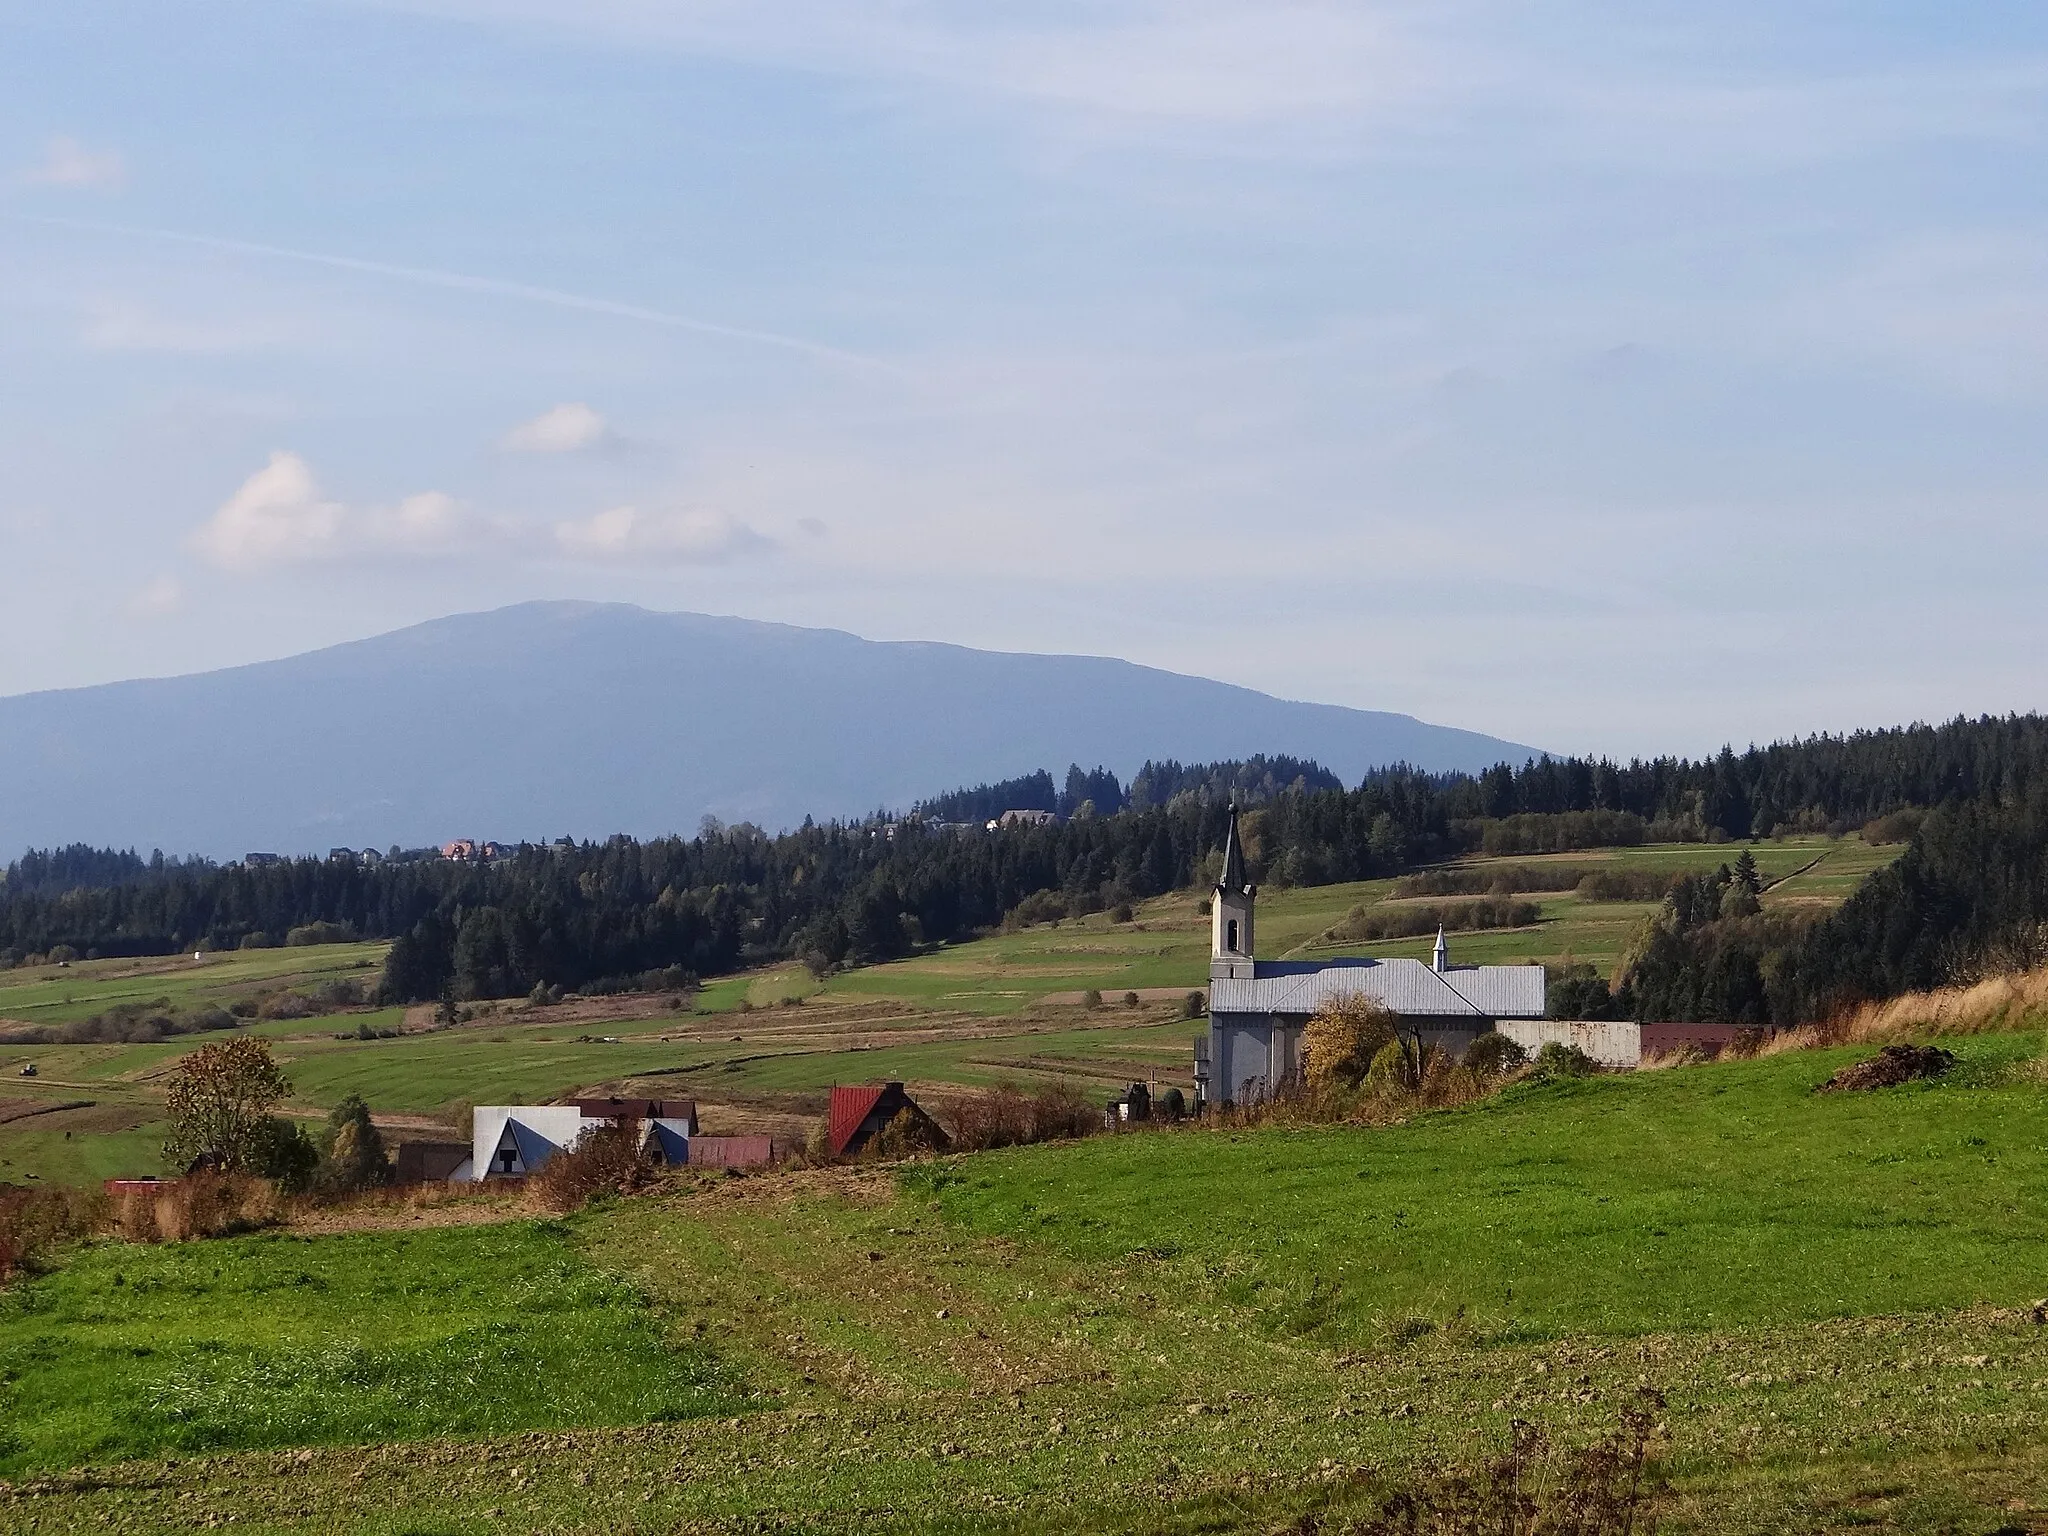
(1408, 988)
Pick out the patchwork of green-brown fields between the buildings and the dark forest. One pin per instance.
(759, 1052)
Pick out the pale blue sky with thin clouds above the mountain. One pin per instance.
(1613, 378)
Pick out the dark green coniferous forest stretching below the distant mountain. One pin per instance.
(1969, 894)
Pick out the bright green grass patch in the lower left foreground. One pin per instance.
(282, 1342)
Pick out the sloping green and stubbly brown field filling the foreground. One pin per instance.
(1191, 1330)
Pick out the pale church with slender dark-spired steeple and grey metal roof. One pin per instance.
(1258, 1009)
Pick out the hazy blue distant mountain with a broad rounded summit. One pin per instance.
(587, 720)
